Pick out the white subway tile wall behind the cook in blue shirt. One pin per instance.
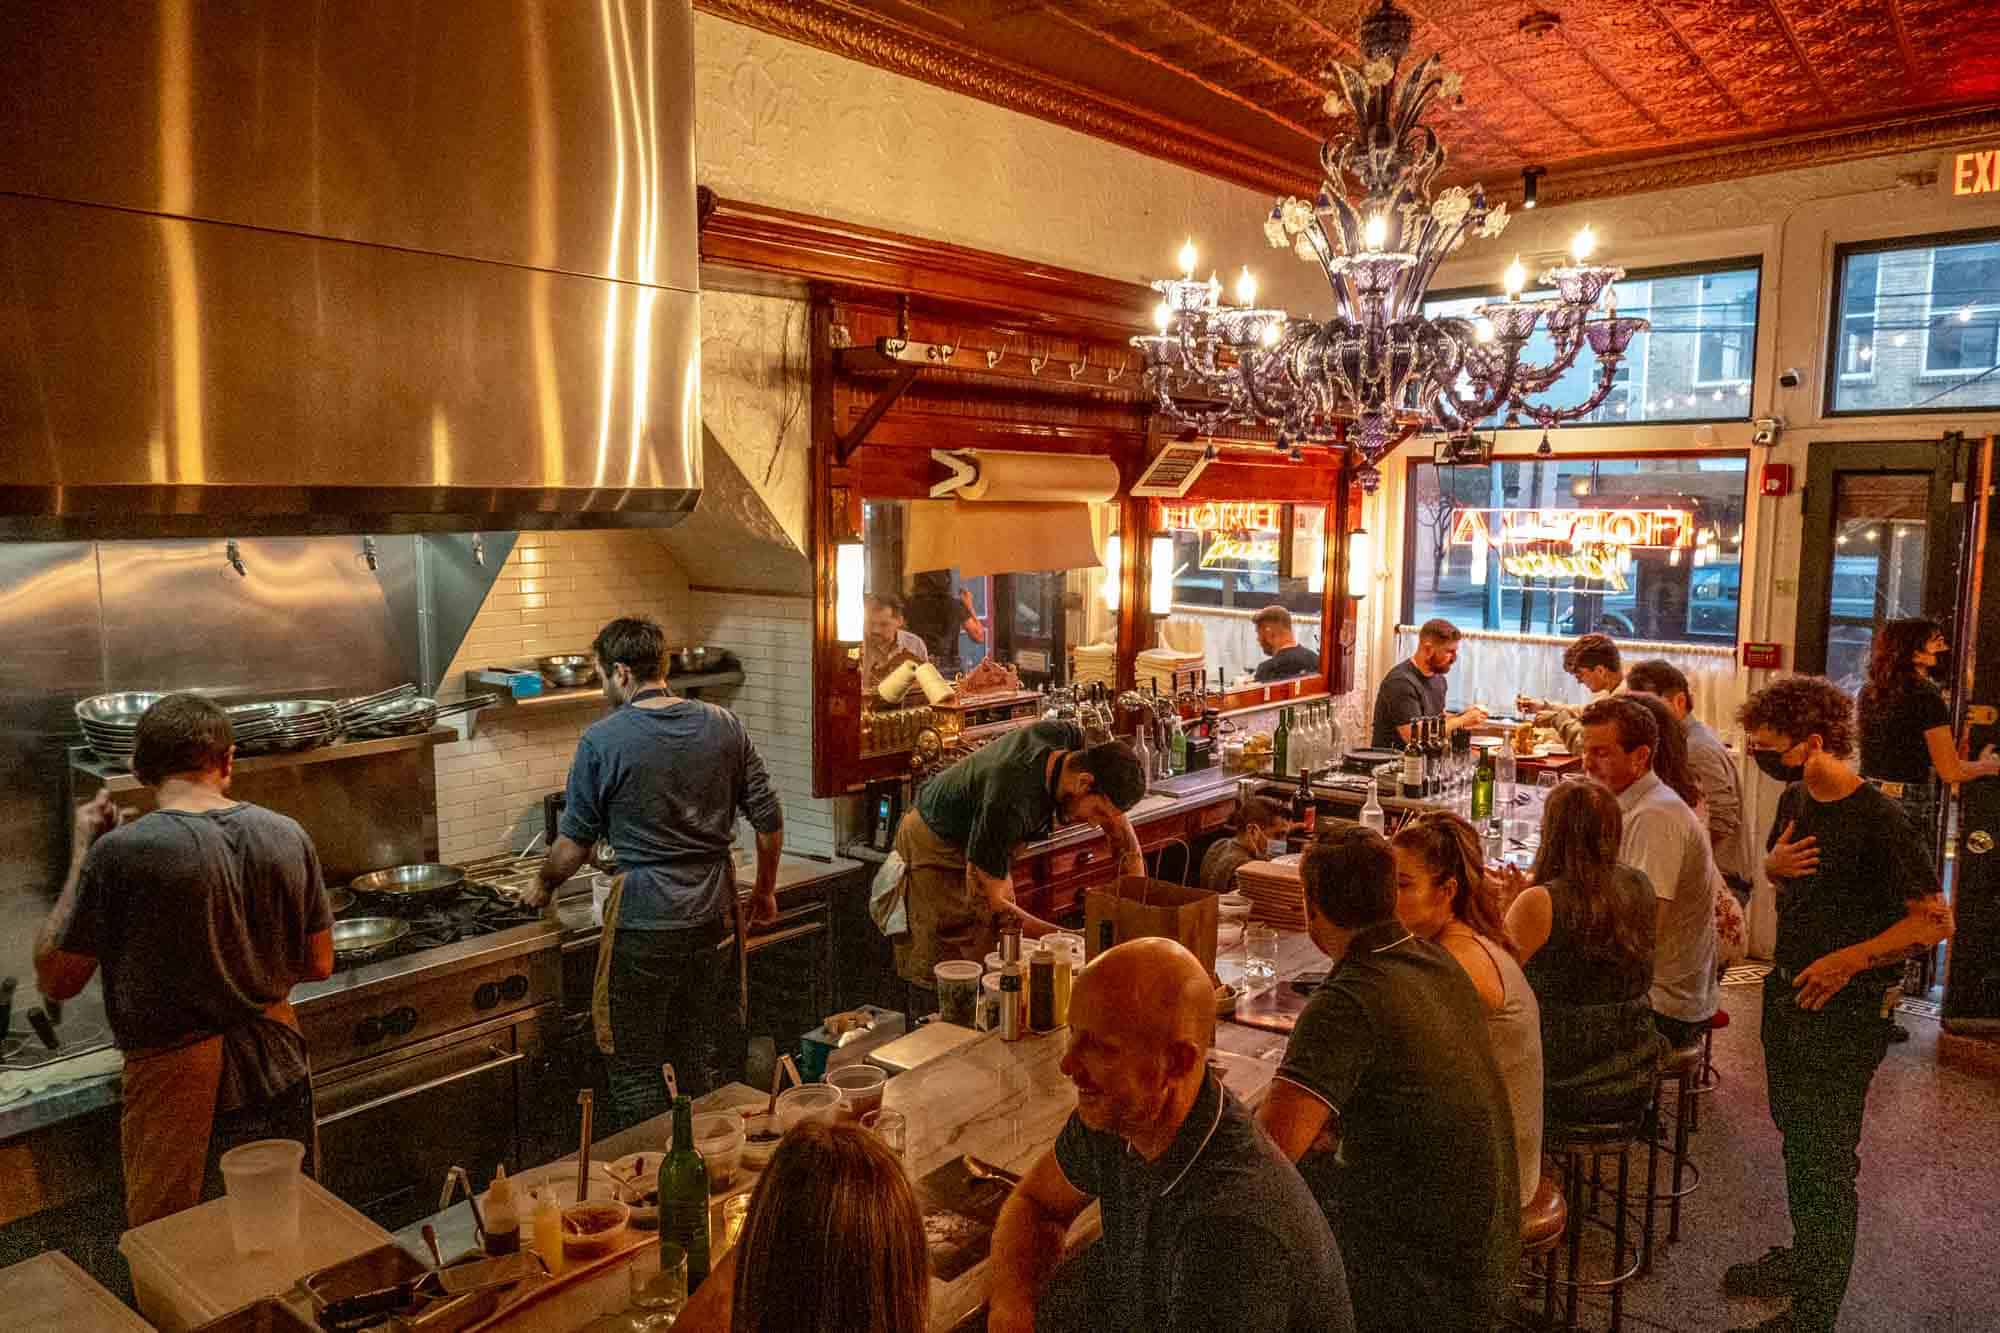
(551, 597)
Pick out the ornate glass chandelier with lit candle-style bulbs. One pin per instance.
(1379, 369)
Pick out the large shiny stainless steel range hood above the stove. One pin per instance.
(277, 267)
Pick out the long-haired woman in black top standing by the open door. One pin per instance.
(1907, 728)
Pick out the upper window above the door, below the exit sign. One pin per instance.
(1919, 327)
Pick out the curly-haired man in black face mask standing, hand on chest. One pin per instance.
(1857, 892)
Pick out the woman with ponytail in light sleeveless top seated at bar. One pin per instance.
(1443, 896)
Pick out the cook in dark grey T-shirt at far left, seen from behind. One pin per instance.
(203, 914)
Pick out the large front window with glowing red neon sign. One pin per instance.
(1629, 547)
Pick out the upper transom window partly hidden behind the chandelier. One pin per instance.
(1693, 365)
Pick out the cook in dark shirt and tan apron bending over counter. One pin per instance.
(959, 844)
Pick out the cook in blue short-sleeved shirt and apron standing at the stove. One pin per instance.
(663, 780)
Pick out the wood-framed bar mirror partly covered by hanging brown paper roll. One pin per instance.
(945, 587)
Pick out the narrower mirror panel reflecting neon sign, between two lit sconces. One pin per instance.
(1247, 589)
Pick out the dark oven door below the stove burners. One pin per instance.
(393, 1126)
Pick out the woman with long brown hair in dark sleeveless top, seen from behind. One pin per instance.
(1583, 928)
